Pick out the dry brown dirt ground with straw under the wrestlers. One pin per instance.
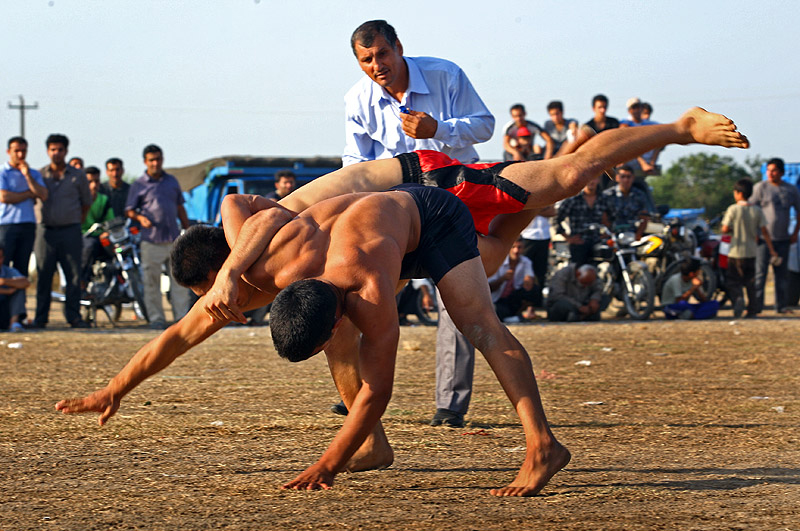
(673, 426)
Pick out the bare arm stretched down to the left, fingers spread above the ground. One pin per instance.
(152, 358)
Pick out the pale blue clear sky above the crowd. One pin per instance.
(204, 78)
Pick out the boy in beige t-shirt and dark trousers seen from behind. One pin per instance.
(744, 222)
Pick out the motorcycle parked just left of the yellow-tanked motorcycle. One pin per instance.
(623, 276)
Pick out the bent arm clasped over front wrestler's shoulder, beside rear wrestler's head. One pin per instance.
(250, 222)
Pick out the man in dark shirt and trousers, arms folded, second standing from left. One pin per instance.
(58, 236)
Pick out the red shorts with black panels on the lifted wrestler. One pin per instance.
(479, 186)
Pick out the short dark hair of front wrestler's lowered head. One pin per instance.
(302, 317)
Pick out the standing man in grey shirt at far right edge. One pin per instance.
(776, 198)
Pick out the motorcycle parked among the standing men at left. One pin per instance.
(116, 277)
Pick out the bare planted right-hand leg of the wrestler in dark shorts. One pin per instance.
(466, 291)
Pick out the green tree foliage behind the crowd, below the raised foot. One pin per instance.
(701, 180)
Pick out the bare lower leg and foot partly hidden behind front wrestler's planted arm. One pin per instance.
(342, 353)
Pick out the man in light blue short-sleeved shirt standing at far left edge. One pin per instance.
(20, 187)
